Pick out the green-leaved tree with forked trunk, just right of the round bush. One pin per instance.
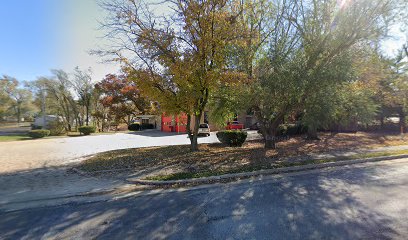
(309, 37)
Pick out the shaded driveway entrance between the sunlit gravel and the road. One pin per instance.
(21, 188)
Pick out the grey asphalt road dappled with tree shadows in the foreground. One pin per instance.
(365, 201)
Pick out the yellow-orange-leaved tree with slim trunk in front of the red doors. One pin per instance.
(178, 58)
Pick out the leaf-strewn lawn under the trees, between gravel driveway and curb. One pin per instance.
(177, 162)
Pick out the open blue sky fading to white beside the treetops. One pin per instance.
(39, 35)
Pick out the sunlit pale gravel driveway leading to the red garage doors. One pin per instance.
(30, 154)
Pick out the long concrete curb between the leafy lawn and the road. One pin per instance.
(235, 176)
